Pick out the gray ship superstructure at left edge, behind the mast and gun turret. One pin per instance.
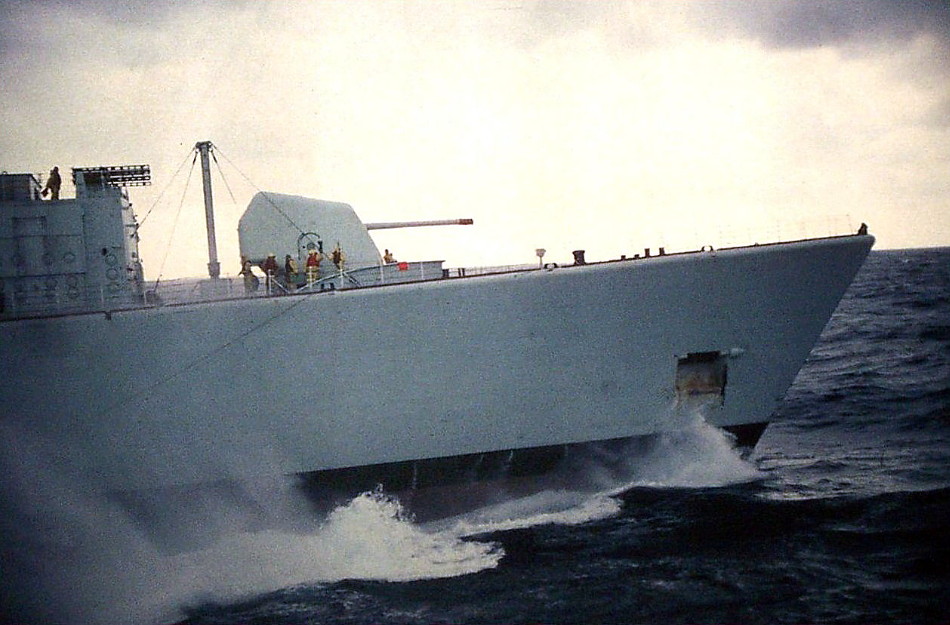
(70, 255)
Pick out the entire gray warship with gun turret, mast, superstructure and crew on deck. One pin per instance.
(354, 371)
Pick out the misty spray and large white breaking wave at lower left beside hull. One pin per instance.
(81, 558)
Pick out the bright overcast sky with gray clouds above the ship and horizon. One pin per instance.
(607, 126)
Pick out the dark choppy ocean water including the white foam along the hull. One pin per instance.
(841, 515)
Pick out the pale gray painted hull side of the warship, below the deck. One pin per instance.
(321, 384)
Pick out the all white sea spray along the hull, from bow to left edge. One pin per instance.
(90, 561)
